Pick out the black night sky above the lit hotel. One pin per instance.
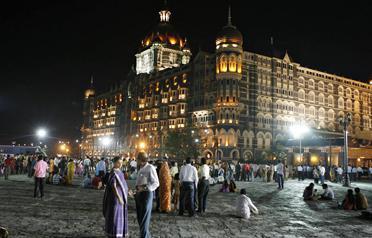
(50, 49)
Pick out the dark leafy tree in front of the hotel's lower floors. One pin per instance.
(183, 143)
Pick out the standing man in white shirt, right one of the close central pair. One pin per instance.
(203, 187)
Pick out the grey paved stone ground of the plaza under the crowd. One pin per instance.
(77, 212)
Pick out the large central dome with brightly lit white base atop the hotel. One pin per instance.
(162, 48)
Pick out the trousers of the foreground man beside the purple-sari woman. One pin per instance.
(144, 207)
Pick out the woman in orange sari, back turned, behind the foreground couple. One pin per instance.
(165, 180)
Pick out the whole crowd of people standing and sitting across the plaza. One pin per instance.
(176, 188)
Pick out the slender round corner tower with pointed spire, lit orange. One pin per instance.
(229, 53)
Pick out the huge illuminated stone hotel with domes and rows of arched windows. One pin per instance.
(240, 102)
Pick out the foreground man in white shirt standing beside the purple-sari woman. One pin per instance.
(147, 182)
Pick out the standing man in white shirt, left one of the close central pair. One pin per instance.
(189, 180)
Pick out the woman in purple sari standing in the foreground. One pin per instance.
(115, 208)
